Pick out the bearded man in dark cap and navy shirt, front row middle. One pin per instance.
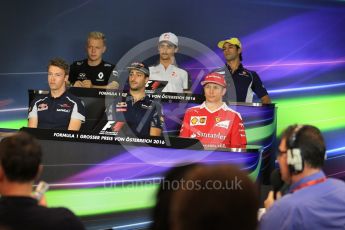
(136, 114)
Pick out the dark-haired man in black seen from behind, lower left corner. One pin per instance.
(20, 165)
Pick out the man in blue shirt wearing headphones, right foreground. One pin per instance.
(313, 201)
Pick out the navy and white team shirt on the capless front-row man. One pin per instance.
(56, 113)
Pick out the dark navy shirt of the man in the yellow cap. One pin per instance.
(242, 84)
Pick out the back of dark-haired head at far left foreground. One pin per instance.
(20, 156)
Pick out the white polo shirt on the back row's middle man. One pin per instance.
(177, 78)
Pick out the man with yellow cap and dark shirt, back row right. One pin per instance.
(241, 83)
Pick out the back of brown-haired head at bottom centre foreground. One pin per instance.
(215, 197)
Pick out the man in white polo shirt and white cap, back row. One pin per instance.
(167, 70)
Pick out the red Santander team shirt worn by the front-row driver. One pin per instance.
(220, 128)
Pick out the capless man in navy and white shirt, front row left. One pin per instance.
(59, 109)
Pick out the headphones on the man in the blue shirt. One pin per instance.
(294, 153)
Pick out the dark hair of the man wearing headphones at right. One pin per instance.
(310, 141)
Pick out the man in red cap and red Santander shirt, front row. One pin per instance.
(213, 122)
